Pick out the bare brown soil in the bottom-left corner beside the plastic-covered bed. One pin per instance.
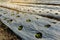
(7, 34)
